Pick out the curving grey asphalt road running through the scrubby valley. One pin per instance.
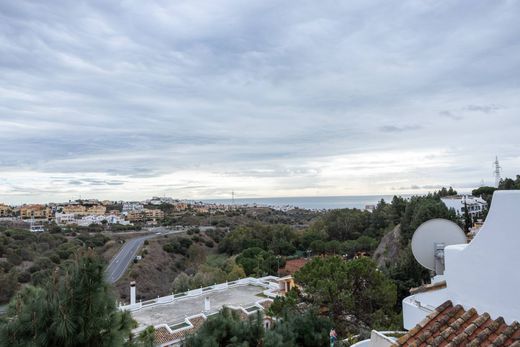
(118, 265)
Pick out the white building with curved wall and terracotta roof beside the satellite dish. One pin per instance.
(476, 302)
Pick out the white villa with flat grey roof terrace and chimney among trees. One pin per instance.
(177, 315)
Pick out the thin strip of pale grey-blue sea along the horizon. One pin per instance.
(308, 202)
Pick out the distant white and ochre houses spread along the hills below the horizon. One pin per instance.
(159, 211)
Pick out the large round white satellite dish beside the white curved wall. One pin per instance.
(429, 240)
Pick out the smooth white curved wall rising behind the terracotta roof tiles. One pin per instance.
(486, 273)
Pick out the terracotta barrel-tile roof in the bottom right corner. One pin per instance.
(452, 325)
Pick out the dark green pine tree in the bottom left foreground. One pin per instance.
(74, 308)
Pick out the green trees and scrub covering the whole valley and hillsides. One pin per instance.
(340, 287)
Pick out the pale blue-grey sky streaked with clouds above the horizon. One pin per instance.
(196, 99)
